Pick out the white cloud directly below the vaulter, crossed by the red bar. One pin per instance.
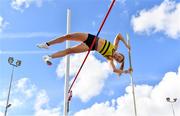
(91, 78)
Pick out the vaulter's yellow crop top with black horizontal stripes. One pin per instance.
(107, 49)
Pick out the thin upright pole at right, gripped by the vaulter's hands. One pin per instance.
(132, 82)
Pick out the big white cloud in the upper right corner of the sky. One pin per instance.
(163, 18)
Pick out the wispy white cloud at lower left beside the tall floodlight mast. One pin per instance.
(25, 92)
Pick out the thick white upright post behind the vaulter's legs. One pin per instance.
(66, 84)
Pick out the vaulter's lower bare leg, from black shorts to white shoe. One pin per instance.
(77, 49)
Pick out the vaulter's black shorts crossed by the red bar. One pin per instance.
(89, 41)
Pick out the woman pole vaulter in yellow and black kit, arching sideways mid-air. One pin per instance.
(104, 47)
